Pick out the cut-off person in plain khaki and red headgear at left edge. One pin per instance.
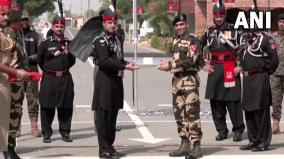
(6, 45)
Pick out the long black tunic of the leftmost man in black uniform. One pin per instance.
(55, 91)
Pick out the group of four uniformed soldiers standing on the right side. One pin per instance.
(239, 65)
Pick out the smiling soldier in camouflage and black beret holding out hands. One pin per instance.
(187, 61)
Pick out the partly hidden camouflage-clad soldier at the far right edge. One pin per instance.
(277, 78)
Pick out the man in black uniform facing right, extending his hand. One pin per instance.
(108, 94)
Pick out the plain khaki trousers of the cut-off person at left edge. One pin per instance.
(5, 99)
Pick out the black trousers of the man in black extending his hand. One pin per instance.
(106, 123)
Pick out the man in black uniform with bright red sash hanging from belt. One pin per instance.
(223, 84)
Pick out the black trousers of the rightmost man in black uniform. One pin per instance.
(259, 126)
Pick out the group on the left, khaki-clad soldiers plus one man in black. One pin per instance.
(22, 51)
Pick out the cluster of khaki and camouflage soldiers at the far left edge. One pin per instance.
(18, 50)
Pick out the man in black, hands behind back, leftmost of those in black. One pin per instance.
(56, 87)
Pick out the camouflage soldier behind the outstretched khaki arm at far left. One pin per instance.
(18, 61)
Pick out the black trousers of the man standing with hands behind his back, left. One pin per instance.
(64, 119)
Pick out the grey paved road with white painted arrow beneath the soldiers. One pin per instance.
(148, 133)
